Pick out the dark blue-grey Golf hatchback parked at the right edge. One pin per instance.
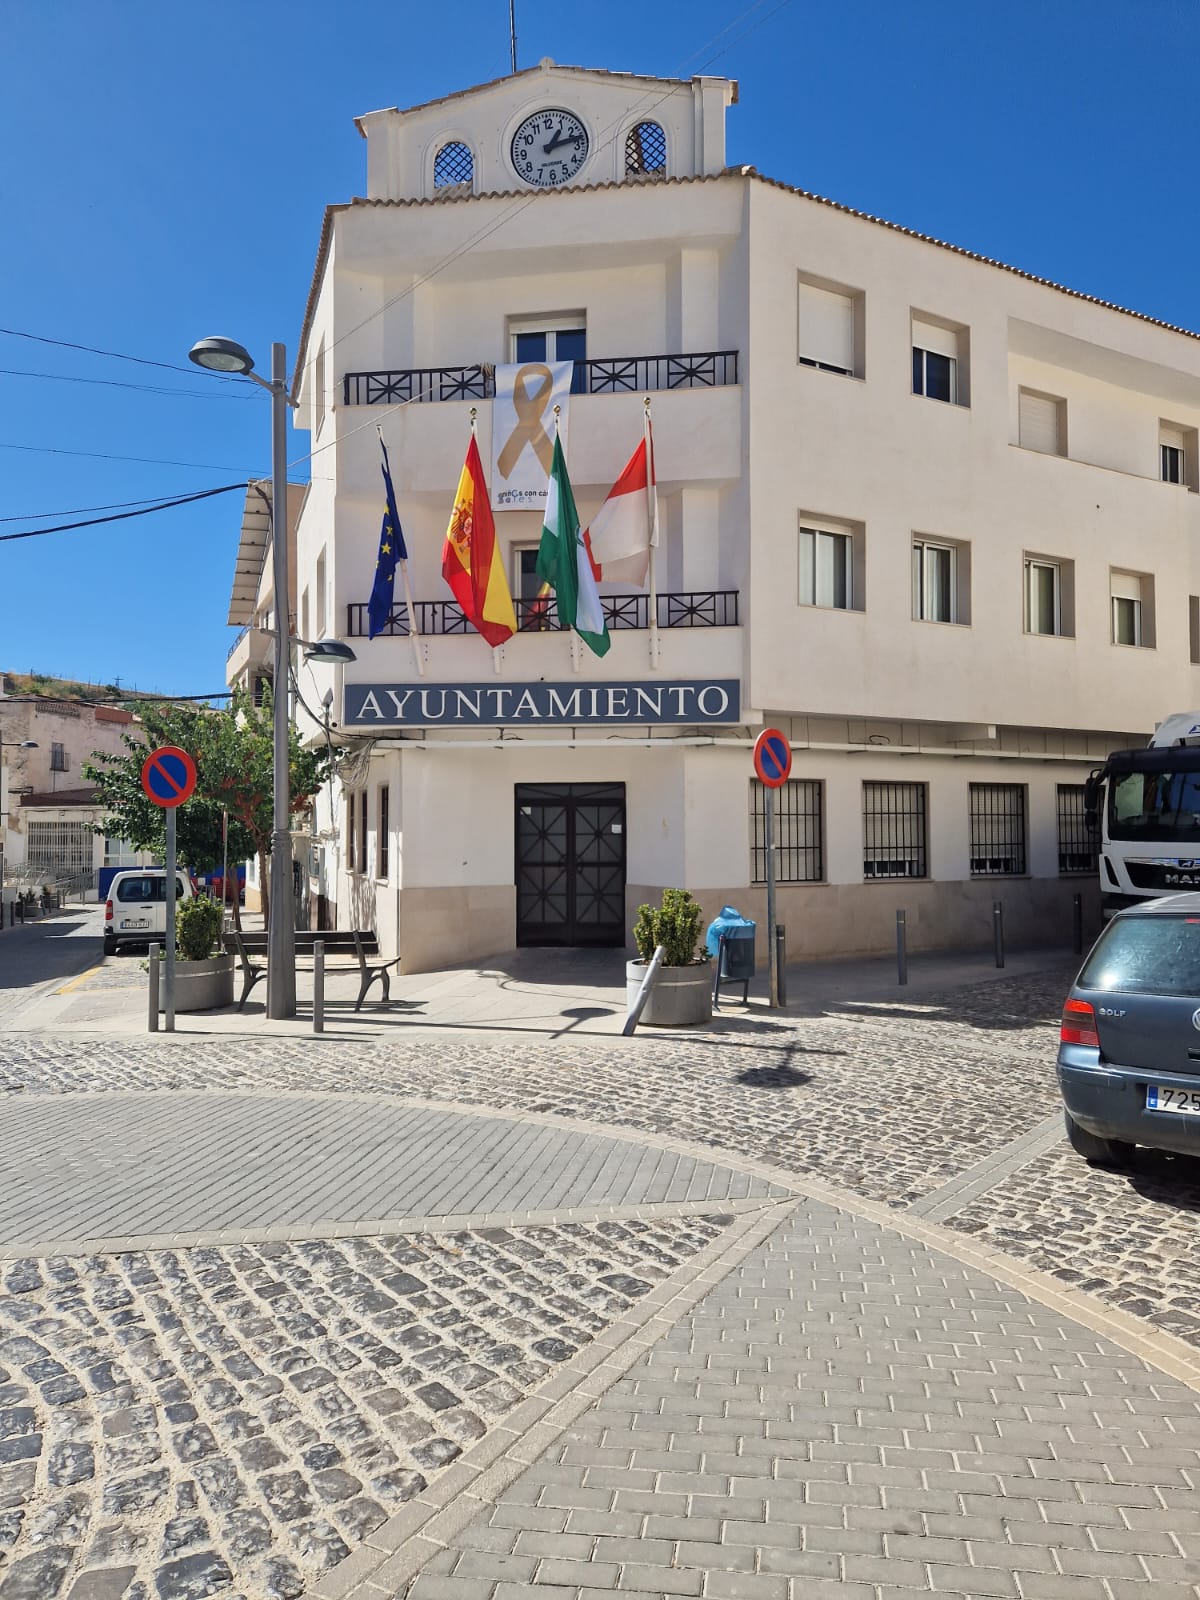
(1129, 1060)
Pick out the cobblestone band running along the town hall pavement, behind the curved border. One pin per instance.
(889, 1100)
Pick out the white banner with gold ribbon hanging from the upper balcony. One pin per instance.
(522, 431)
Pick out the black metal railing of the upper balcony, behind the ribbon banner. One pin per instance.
(615, 375)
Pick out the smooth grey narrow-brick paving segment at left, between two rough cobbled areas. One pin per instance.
(95, 1172)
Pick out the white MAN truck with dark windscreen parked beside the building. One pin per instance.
(1146, 807)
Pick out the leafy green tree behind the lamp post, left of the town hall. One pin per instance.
(234, 775)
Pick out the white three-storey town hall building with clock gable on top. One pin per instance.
(927, 502)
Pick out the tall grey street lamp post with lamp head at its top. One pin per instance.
(226, 356)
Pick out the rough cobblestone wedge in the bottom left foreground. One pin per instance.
(236, 1420)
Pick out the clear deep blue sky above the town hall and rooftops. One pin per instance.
(166, 169)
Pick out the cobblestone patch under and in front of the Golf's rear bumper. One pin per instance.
(1129, 1238)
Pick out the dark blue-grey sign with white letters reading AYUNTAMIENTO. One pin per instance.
(526, 705)
